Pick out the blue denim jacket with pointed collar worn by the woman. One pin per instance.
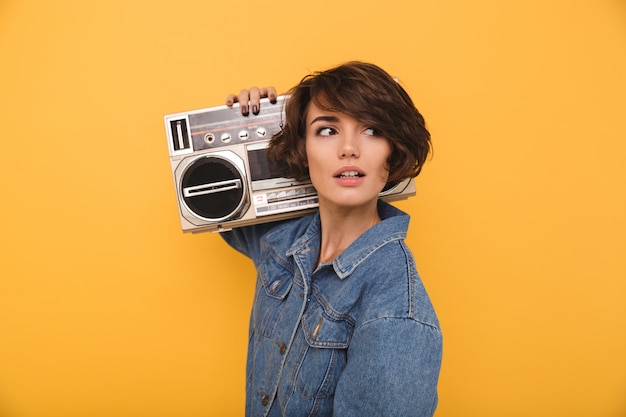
(355, 337)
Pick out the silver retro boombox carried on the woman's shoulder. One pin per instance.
(223, 178)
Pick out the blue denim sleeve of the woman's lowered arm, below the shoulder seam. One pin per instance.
(392, 370)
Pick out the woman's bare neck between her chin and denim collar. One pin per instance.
(342, 226)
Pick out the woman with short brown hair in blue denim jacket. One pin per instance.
(341, 323)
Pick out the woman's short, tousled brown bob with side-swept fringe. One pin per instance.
(367, 93)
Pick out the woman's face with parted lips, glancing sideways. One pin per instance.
(347, 159)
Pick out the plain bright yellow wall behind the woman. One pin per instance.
(519, 224)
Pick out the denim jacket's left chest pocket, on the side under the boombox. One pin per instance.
(274, 284)
